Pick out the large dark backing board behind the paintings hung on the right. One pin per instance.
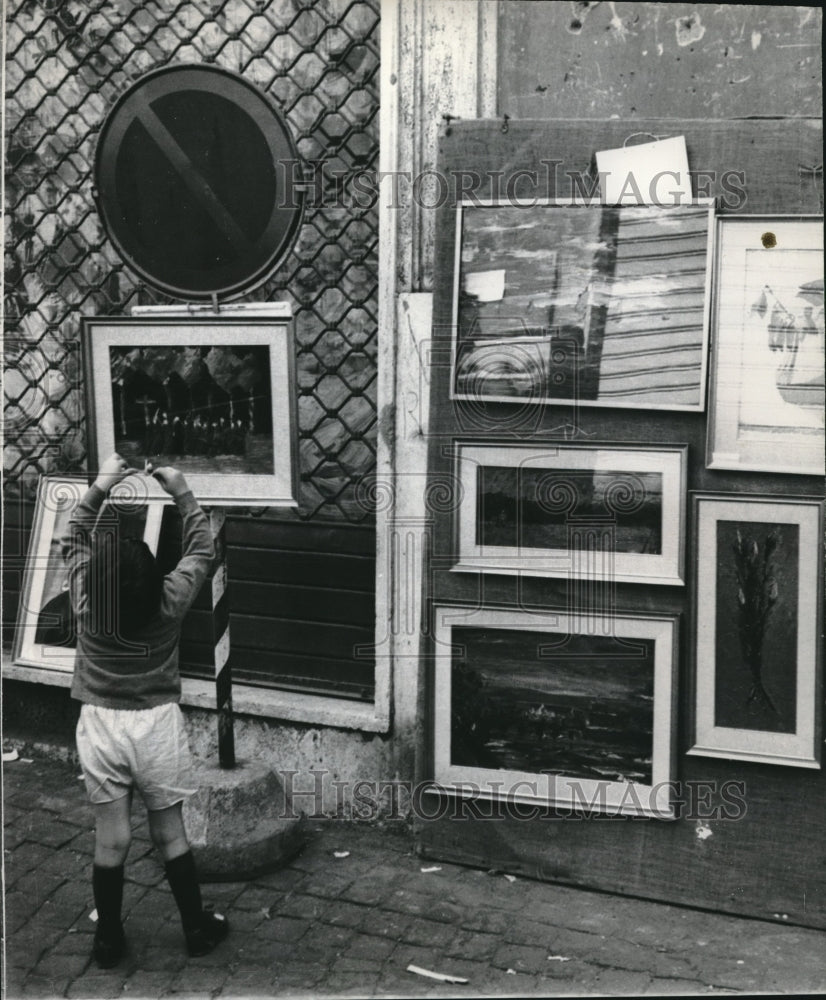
(772, 861)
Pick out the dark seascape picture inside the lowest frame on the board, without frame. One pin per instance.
(584, 709)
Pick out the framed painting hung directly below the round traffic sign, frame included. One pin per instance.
(212, 396)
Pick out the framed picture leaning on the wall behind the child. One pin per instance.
(45, 635)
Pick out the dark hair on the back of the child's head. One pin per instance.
(124, 584)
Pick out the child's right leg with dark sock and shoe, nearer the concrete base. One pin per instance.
(203, 930)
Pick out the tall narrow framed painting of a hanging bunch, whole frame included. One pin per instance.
(758, 602)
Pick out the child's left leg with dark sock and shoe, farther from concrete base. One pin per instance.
(112, 837)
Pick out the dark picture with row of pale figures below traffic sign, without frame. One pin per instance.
(204, 409)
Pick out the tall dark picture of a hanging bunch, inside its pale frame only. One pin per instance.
(756, 626)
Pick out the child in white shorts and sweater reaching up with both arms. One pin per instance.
(131, 732)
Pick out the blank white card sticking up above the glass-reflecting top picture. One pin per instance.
(651, 173)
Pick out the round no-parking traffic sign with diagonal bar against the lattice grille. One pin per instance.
(198, 182)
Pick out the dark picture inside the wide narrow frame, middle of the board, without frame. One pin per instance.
(534, 508)
